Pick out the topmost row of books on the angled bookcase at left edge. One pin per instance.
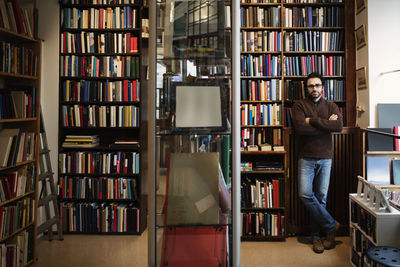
(16, 18)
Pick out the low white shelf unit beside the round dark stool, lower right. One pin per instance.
(372, 223)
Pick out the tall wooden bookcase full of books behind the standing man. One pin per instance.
(282, 41)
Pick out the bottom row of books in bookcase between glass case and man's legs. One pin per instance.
(262, 224)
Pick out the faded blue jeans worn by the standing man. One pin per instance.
(314, 175)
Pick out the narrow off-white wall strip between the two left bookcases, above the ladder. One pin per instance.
(49, 32)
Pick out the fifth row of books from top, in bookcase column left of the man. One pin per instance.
(261, 114)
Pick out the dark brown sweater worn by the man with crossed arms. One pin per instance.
(315, 138)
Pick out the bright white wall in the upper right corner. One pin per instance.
(383, 54)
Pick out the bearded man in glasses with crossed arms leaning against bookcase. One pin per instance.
(314, 120)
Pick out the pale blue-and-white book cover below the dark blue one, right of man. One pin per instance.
(378, 170)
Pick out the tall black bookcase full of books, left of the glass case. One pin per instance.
(101, 183)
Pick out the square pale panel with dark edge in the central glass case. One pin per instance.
(199, 107)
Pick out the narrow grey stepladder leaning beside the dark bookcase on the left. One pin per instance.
(47, 188)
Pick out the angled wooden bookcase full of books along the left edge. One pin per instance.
(19, 132)
